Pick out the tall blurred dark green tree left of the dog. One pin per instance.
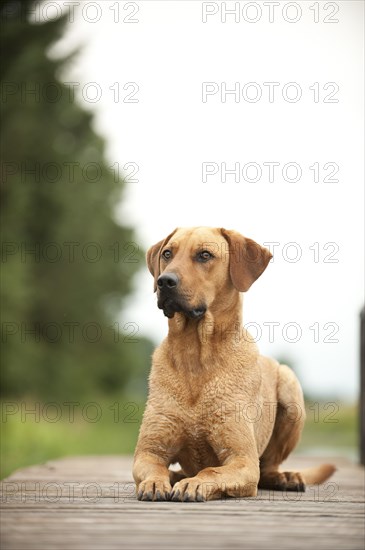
(67, 264)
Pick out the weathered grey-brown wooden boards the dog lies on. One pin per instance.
(89, 503)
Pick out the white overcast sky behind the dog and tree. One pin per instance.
(168, 53)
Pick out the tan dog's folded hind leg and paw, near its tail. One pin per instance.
(288, 426)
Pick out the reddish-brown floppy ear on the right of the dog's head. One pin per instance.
(247, 259)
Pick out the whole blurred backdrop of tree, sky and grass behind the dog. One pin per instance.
(104, 137)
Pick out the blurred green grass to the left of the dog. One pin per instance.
(109, 427)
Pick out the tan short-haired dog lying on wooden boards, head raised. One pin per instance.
(227, 415)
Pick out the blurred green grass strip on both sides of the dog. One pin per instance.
(111, 427)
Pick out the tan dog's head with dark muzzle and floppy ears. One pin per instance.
(197, 268)
